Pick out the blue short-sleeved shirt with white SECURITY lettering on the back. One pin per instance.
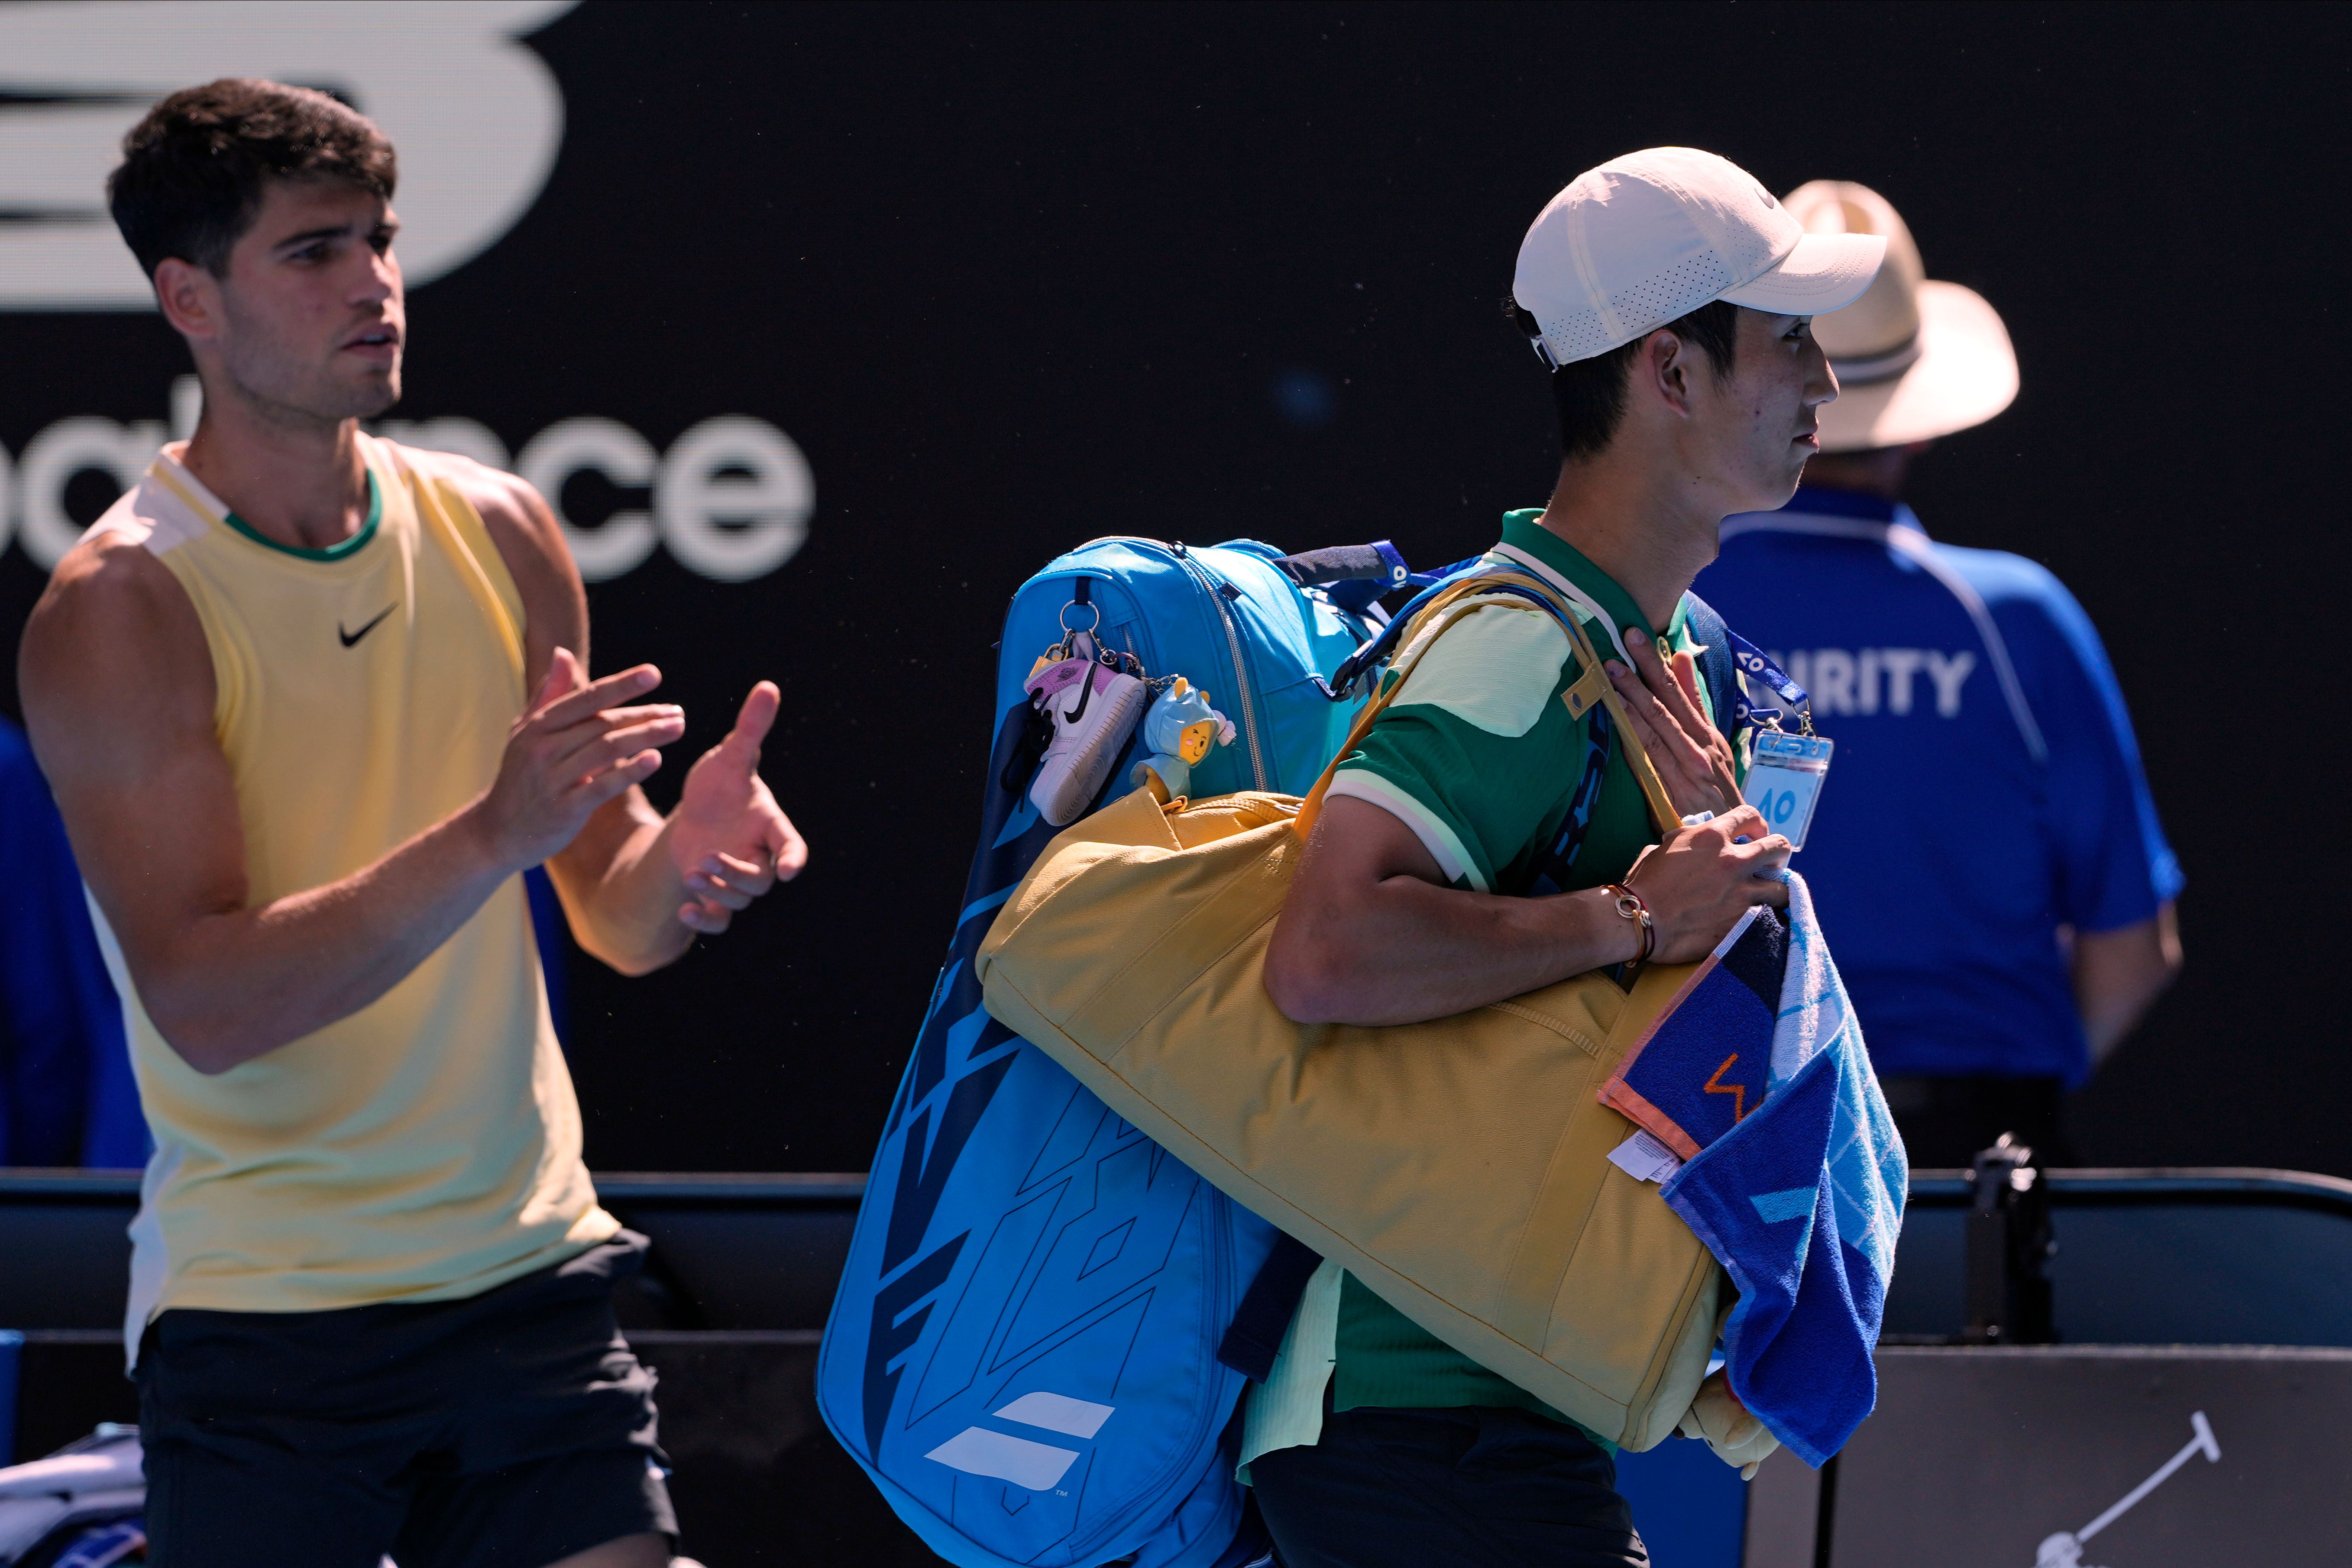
(1986, 786)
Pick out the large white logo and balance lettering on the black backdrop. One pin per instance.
(479, 121)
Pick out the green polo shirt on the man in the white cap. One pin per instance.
(1481, 758)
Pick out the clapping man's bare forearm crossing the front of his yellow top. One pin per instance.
(239, 984)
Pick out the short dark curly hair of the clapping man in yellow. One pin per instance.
(196, 166)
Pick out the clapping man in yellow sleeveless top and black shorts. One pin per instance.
(312, 706)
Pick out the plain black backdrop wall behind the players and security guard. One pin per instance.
(1015, 279)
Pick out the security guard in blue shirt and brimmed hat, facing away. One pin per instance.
(1991, 972)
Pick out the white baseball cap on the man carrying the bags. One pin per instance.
(1652, 236)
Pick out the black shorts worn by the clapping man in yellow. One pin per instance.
(507, 1430)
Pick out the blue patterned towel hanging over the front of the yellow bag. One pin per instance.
(1793, 1172)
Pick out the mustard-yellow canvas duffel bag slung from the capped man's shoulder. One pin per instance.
(1457, 1167)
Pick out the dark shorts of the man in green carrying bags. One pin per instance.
(1445, 1489)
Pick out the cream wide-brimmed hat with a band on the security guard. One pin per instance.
(1916, 359)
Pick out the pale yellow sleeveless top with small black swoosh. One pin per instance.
(429, 1146)
